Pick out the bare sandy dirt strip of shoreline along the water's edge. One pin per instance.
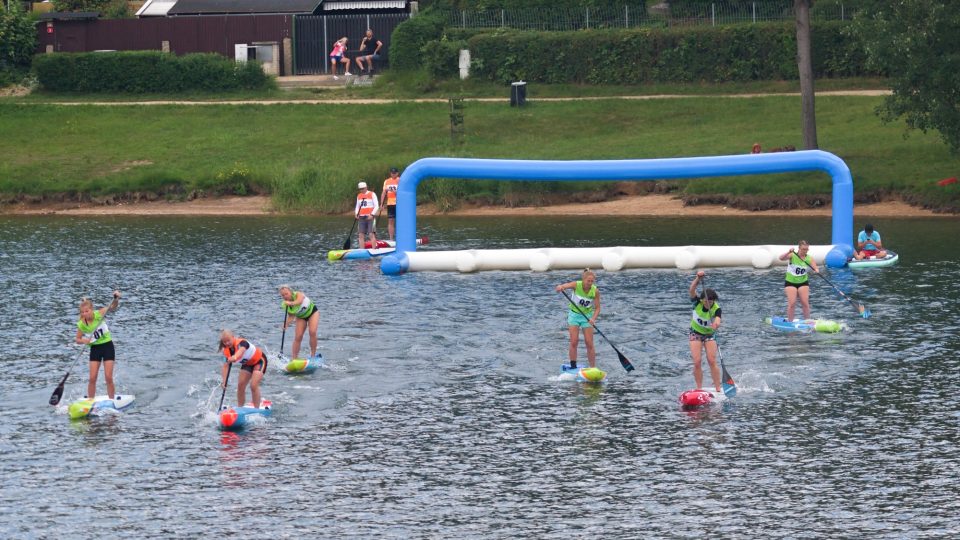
(632, 205)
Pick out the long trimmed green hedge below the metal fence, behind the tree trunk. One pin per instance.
(712, 54)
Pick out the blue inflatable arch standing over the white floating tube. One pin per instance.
(623, 170)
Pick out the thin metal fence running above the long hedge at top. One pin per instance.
(679, 14)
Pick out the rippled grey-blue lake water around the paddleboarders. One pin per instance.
(439, 413)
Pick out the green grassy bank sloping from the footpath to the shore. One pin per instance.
(309, 157)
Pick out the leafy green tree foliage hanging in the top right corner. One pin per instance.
(917, 44)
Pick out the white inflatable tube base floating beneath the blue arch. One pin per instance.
(611, 259)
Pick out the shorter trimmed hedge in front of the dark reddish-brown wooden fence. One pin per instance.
(140, 72)
